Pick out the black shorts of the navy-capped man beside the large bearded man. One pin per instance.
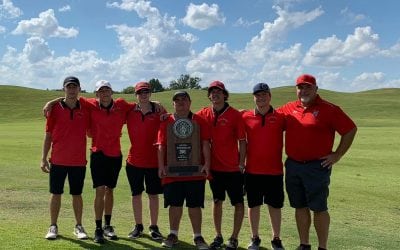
(264, 189)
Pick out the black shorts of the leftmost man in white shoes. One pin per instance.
(76, 179)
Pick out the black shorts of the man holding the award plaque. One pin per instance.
(176, 193)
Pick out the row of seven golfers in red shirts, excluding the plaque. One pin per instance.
(241, 155)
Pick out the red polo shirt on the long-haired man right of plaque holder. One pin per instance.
(226, 129)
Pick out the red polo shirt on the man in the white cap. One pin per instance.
(106, 125)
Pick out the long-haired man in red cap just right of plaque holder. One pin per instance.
(227, 131)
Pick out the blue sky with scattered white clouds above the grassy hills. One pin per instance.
(349, 46)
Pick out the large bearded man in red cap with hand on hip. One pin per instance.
(311, 123)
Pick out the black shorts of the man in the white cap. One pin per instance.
(105, 169)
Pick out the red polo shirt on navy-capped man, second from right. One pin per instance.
(264, 142)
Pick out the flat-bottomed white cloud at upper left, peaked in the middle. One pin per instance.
(46, 25)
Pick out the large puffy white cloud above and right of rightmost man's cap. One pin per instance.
(332, 52)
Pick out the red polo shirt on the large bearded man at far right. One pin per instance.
(310, 132)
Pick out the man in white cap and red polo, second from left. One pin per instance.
(108, 116)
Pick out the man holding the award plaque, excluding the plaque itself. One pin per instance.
(191, 189)
